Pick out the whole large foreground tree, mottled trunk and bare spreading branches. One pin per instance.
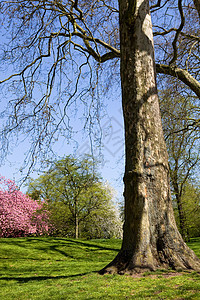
(67, 44)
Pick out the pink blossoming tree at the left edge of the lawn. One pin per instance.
(19, 214)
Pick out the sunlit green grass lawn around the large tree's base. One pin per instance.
(59, 268)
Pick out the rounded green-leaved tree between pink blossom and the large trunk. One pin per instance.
(80, 204)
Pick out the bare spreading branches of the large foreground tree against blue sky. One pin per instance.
(52, 55)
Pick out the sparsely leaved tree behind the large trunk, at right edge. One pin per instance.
(180, 119)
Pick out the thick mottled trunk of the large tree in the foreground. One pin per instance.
(151, 239)
